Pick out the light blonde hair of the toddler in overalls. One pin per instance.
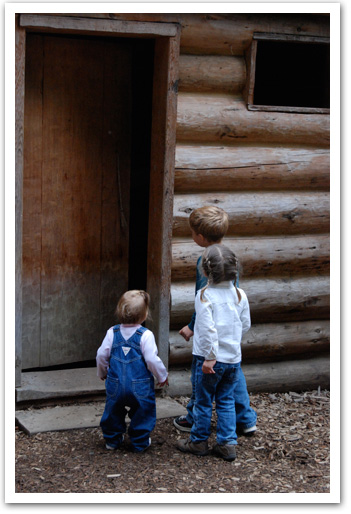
(133, 307)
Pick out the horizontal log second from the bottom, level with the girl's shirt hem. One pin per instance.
(266, 342)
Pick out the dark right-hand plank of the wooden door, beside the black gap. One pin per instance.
(115, 178)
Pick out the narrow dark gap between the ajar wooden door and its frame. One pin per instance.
(142, 80)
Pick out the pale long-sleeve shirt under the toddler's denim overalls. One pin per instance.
(148, 349)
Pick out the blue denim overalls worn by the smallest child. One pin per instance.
(128, 384)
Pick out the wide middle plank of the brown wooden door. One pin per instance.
(71, 196)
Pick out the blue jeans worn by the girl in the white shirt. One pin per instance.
(218, 387)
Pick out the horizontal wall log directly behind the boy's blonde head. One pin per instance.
(270, 213)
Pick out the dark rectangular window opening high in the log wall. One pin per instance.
(289, 75)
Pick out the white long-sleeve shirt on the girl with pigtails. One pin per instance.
(220, 323)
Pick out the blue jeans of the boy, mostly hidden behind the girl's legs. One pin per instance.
(245, 416)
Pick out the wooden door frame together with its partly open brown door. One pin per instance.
(79, 145)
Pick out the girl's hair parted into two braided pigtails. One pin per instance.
(220, 264)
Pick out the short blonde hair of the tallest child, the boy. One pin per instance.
(209, 221)
